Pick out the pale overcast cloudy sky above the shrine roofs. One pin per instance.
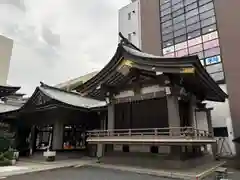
(57, 40)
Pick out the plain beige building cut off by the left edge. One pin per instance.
(6, 46)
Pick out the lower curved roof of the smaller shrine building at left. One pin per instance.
(46, 97)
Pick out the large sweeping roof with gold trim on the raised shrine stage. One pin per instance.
(199, 82)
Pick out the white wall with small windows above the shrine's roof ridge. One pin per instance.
(132, 25)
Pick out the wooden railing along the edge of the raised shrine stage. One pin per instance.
(170, 132)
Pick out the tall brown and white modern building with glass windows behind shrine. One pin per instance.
(207, 28)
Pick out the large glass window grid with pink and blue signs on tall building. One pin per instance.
(203, 13)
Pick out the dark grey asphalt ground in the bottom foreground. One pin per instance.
(84, 173)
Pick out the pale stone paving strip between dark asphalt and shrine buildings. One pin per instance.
(35, 166)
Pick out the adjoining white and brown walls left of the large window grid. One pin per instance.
(145, 22)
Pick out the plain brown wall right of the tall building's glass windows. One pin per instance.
(229, 28)
